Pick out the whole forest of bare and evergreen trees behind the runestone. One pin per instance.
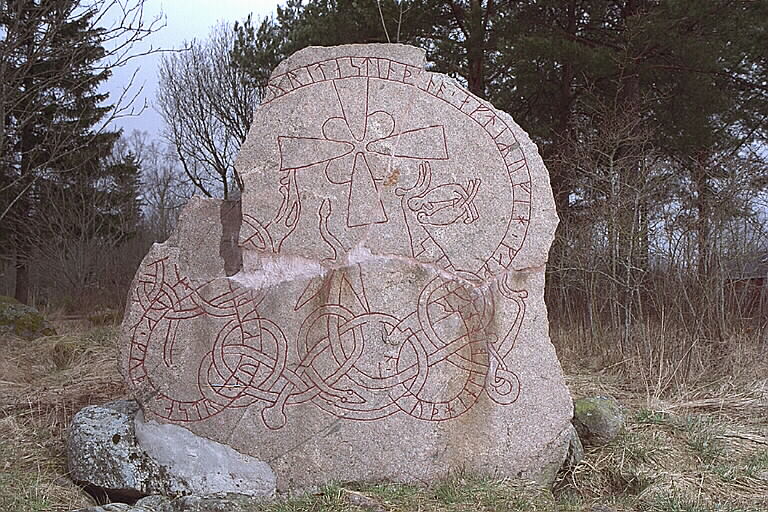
(651, 115)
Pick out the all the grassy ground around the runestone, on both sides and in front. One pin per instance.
(696, 448)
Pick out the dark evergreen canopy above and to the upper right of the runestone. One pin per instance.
(694, 64)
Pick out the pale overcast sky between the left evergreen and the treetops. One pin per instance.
(184, 20)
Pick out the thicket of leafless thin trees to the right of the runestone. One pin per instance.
(629, 266)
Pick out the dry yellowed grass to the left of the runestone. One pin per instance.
(43, 383)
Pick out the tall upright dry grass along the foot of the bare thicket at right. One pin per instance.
(660, 361)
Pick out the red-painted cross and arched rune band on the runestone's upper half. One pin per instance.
(363, 145)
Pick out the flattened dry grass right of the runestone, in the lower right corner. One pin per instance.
(698, 446)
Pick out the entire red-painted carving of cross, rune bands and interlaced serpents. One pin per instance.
(253, 361)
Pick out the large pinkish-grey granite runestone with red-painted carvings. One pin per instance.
(375, 308)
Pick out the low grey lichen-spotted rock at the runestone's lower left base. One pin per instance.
(114, 452)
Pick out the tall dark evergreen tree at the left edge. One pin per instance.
(52, 110)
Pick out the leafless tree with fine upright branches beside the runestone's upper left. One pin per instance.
(207, 104)
